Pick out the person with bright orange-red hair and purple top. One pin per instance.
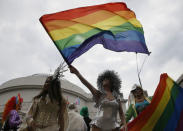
(11, 119)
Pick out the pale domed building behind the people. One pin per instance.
(30, 86)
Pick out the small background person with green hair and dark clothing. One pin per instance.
(85, 114)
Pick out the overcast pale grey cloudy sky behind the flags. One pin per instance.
(26, 49)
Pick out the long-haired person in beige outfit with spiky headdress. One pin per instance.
(49, 109)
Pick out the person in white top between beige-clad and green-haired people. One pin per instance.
(76, 122)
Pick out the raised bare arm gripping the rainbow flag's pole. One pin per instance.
(83, 80)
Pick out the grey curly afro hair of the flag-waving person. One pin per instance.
(114, 79)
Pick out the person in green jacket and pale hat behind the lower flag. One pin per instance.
(140, 102)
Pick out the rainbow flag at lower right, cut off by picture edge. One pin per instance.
(165, 113)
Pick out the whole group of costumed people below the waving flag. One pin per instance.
(50, 111)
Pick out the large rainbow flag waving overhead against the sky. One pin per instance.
(113, 25)
